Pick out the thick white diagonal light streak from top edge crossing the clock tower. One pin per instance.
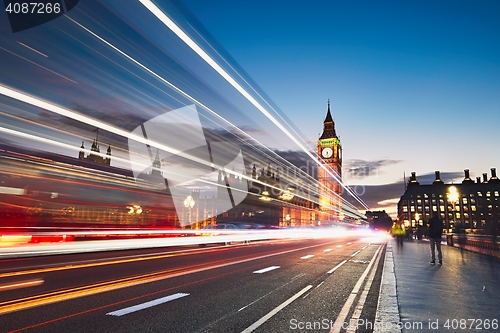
(198, 50)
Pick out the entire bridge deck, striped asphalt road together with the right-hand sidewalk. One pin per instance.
(274, 286)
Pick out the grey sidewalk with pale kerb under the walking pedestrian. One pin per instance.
(462, 295)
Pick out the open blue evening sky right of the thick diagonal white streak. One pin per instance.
(414, 85)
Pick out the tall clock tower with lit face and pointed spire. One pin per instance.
(330, 156)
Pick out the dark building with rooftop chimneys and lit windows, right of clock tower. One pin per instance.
(475, 207)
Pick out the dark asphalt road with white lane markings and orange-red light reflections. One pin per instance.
(302, 285)
